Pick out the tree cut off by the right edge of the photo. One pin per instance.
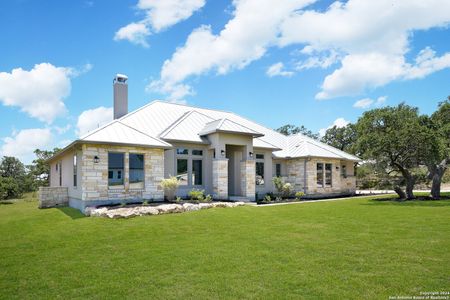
(438, 156)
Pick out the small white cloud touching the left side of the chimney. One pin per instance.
(93, 118)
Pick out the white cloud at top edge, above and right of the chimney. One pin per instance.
(160, 14)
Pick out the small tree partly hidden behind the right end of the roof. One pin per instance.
(342, 138)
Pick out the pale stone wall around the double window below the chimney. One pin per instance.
(94, 176)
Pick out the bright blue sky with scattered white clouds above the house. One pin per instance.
(302, 62)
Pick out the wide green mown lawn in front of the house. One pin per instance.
(348, 249)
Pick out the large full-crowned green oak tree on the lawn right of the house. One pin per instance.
(396, 140)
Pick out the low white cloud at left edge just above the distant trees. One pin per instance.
(22, 144)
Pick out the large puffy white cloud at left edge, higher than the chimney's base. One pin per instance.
(39, 92)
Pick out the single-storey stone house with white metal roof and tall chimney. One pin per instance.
(227, 155)
